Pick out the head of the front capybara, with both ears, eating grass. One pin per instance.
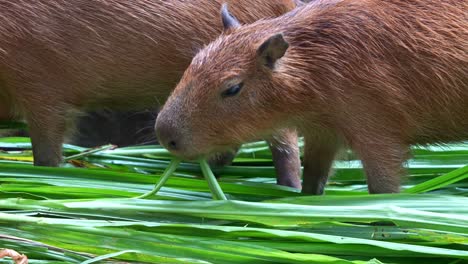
(226, 96)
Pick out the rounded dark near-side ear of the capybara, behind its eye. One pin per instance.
(271, 50)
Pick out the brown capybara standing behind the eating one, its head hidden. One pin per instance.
(58, 57)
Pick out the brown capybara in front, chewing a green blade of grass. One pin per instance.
(374, 75)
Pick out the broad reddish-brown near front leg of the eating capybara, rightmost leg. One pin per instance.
(382, 163)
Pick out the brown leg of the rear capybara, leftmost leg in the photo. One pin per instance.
(47, 130)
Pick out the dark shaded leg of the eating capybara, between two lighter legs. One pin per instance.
(318, 159)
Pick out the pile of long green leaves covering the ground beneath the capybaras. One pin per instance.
(90, 214)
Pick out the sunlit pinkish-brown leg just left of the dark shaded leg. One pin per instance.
(286, 158)
